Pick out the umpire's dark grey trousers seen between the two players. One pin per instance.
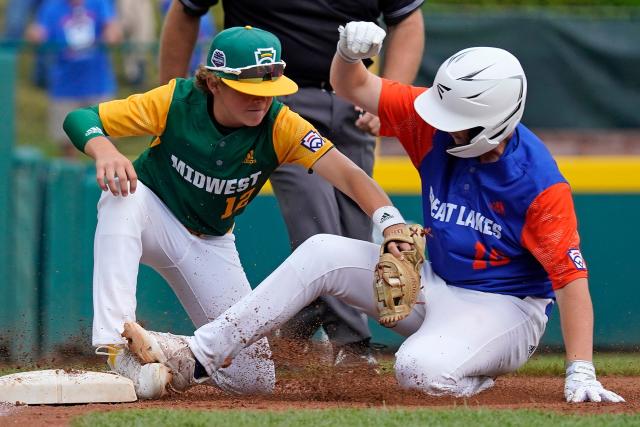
(310, 205)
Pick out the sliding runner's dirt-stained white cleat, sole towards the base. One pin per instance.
(170, 350)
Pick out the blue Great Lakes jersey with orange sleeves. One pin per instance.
(505, 227)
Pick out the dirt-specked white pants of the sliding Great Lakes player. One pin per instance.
(458, 341)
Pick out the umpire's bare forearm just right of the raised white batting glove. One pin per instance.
(404, 49)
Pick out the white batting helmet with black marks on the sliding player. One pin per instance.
(477, 87)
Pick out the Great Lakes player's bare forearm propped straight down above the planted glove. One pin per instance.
(576, 316)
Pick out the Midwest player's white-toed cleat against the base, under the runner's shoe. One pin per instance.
(150, 381)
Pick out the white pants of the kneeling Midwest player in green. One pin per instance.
(205, 274)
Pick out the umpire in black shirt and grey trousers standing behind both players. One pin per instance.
(308, 32)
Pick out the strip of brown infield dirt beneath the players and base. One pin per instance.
(330, 388)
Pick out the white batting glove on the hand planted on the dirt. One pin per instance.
(581, 385)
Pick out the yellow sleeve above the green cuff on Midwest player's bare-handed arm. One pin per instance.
(139, 114)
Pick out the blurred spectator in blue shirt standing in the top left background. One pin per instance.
(80, 72)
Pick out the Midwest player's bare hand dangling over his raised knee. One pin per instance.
(114, 172)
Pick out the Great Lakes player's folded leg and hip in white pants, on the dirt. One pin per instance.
(447, 356)
